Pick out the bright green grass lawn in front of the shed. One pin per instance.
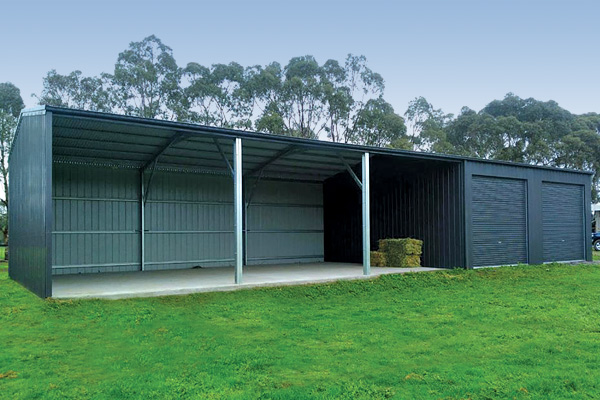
(527, 332)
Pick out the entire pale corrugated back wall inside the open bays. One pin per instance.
(188, 221)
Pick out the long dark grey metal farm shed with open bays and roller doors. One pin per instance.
(94, 193)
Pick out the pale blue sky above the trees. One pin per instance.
(454, 53)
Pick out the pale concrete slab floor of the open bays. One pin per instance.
(118, 285)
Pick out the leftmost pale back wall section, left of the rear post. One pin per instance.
(96, 213)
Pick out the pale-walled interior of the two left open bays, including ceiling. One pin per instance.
(186, 189)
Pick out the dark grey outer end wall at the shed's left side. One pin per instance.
(30, 202)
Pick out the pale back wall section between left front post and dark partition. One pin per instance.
(285, 222)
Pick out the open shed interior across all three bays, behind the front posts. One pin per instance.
(301, 203)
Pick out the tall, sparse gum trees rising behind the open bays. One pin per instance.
(303, 98)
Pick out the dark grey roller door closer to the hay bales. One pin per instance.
(499, 221)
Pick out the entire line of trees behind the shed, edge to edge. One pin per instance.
(338, 101)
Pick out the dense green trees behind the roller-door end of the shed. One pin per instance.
(515, 129)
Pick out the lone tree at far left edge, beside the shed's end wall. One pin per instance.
(11, 105)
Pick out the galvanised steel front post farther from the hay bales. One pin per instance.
(238, 206)
